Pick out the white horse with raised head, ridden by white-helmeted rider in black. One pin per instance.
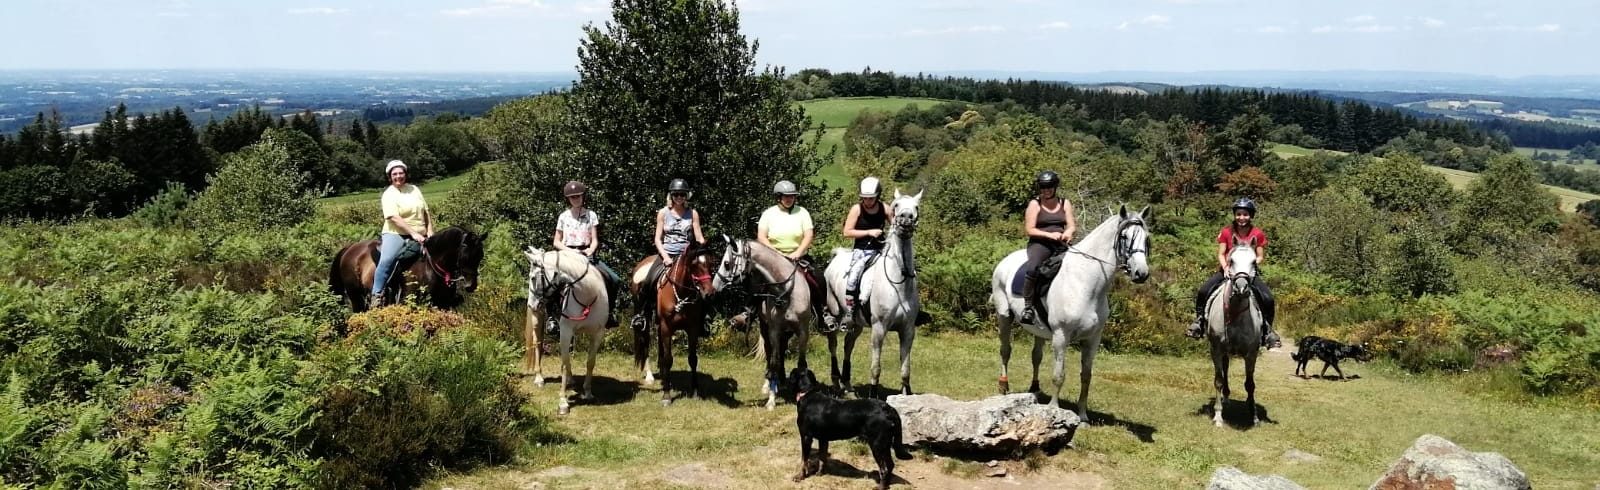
(889, 292)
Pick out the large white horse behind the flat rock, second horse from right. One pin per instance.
(1076, 307)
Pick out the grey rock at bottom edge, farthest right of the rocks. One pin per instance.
(1438, 464)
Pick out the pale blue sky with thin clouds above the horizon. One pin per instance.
(1492, 38)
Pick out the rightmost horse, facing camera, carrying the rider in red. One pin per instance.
(1234, 327)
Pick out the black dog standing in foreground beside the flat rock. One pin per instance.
(826, 419)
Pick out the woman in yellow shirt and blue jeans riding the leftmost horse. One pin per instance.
(406, 219)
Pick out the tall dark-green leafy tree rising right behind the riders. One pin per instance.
(671, 90)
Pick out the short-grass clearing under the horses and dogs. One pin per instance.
(1151, 430)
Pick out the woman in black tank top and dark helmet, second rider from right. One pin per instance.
(1050, 227)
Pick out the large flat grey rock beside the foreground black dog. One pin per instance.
(1004, 424)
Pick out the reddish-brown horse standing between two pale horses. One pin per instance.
(682, 302)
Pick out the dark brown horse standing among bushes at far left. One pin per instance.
(450, 267)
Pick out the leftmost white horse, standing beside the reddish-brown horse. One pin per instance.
(569, 286)
